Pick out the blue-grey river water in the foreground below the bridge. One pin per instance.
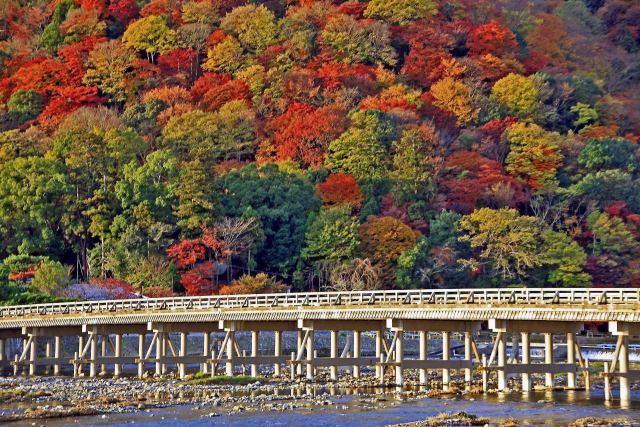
(536, 408)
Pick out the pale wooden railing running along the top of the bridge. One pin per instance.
(542, 296)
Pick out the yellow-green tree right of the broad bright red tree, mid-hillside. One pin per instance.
(362, 150)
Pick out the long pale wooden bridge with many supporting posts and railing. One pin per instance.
(163, 326)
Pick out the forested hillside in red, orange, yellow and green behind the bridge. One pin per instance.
(223, 146)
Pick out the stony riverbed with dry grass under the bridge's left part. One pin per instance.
(40, 398)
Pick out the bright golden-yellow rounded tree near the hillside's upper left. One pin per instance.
(151, 35)
